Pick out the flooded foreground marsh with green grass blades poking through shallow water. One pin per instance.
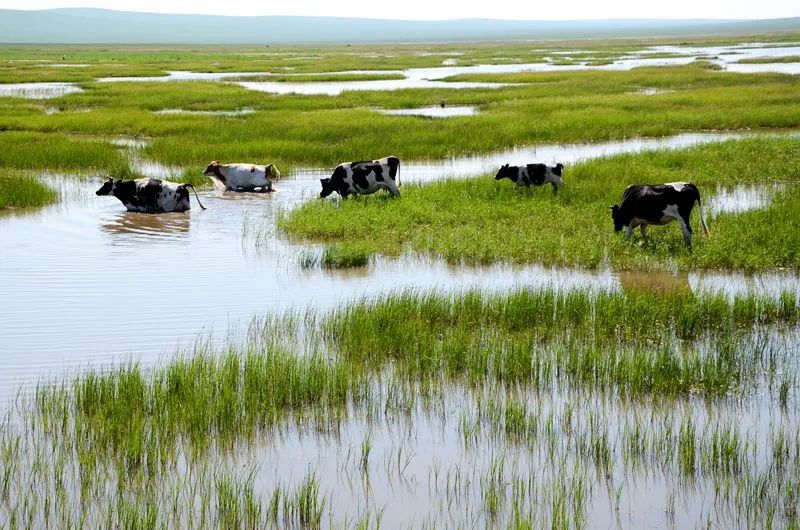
(553, 398)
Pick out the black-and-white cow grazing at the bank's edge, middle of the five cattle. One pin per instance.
(363, 178)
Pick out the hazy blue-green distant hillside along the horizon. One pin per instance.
(92, 26)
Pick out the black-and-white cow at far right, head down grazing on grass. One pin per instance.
(644, 205)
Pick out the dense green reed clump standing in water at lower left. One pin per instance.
(129, 415)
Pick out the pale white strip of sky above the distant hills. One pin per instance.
(447, 9)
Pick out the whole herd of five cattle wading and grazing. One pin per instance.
(640, 206)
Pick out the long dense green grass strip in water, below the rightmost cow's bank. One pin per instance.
(632, 341)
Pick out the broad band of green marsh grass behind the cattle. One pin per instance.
(321, 131)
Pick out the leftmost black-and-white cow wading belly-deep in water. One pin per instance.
(150, 195)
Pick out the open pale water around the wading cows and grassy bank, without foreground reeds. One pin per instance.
(84, 282)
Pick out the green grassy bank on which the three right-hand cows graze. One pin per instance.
(483, 221)
